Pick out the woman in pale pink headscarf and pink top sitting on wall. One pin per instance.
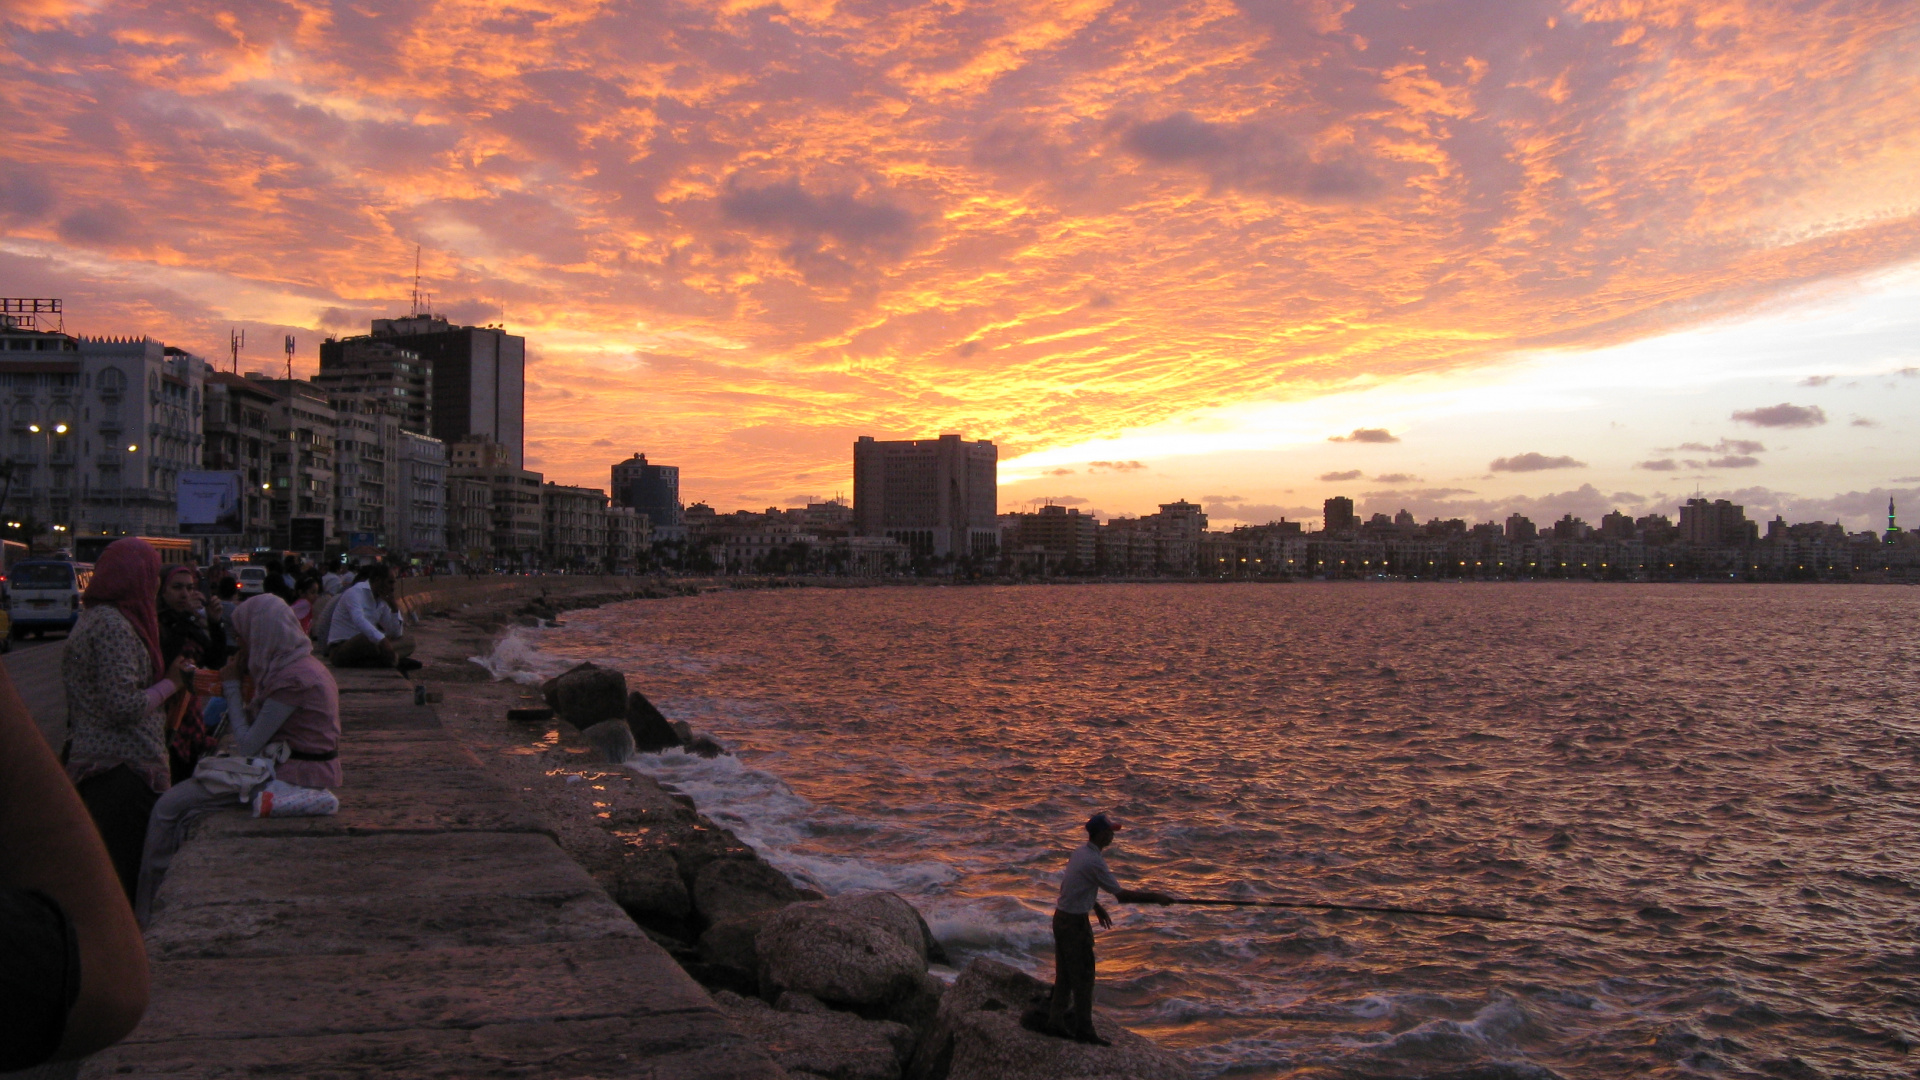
(295, 704)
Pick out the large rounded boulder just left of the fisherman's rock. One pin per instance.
(850, 952)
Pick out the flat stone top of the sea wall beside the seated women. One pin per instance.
(429, 929)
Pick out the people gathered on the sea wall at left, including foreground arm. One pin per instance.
(183, 697)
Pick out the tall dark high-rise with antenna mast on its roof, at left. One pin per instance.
(477, 378)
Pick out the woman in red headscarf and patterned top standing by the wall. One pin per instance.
(116, 687)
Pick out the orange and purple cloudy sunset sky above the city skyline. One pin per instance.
(1458, 257)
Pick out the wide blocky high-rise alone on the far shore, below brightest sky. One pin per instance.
(938, 497)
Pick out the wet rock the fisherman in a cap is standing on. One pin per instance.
(978, 1037)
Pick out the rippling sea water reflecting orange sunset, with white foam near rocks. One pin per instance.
(1719, 787)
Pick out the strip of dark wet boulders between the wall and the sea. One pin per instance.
(836, 989)
